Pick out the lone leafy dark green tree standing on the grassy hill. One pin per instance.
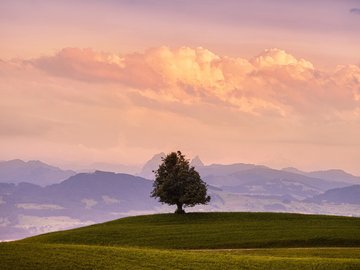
(177, 183)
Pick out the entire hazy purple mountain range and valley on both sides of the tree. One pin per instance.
(36, 197)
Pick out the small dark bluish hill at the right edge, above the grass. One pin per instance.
(350, 194)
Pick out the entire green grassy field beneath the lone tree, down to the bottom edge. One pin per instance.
(195, 241)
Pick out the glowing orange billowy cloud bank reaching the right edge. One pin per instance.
(274, 82)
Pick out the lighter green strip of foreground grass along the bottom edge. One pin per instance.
(59, 256)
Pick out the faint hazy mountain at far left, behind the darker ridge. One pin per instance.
(33, 171)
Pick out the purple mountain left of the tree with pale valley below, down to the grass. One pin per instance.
(82, 199)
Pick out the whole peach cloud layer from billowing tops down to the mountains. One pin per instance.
(80, 104)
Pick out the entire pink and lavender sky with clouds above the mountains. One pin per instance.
(270, 82)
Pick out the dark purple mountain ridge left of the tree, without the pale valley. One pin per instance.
(85, 194)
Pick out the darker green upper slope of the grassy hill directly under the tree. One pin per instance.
(215, 230)
